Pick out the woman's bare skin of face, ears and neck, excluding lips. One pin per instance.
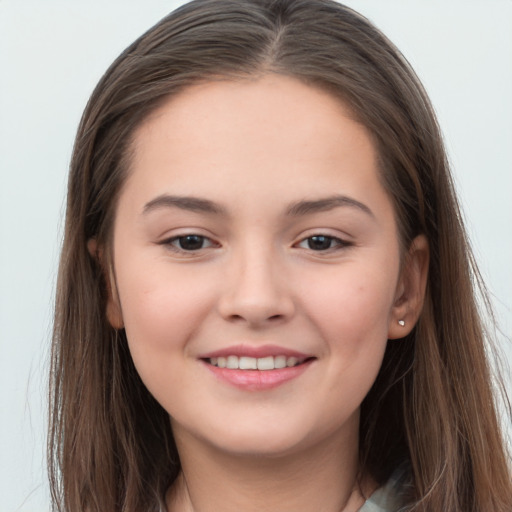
(253, 149)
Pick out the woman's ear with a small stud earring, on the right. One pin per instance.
(410, 292)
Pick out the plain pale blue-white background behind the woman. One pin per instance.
(51, 55)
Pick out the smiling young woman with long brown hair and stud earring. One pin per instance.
(266, 297)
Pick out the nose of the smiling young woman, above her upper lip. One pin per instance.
(256, 290)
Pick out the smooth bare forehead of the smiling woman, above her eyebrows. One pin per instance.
(273, 133)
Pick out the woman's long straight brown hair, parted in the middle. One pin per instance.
(432, 407)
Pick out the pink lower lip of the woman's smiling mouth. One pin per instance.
(258, 380)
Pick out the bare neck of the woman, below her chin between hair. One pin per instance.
(322, 478)
